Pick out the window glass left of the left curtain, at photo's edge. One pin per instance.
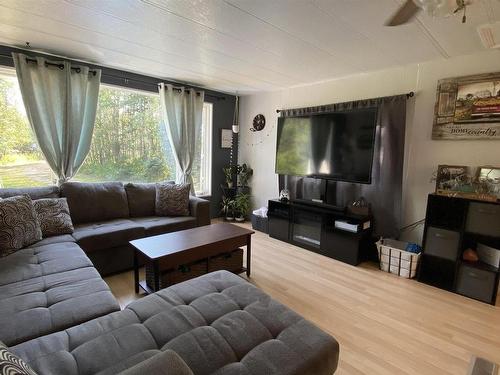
(21, 162)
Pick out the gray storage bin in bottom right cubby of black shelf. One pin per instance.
(476, 283)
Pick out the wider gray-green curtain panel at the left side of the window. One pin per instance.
(61, 106)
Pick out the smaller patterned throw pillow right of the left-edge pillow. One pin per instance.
(53, 214)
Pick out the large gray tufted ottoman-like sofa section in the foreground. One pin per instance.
(217, 323)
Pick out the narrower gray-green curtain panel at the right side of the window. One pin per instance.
(181, 112)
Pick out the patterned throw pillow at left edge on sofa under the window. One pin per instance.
(19, 225)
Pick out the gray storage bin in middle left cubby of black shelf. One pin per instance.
(442, 243)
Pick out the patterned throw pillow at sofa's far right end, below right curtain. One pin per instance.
(172, 199)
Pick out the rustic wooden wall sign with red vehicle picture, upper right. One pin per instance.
(468, 107)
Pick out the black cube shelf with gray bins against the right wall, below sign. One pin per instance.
(453, 225)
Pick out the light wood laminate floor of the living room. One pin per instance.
(384, 324)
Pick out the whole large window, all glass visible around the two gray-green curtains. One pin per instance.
(126, 144)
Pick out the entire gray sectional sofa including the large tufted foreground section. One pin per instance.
(58, 315)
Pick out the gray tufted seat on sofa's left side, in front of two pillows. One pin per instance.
(47, 288)
